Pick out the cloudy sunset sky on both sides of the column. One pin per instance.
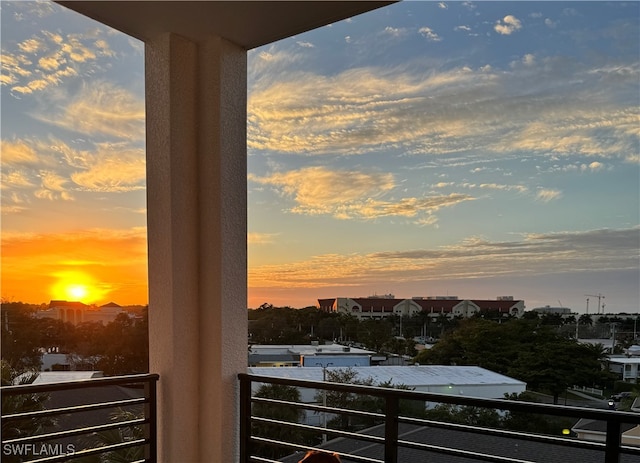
(470, 149)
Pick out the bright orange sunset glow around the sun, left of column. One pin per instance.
(90, 266)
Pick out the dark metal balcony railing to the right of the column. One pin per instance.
(393, 437)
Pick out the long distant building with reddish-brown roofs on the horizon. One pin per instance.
(382, 307)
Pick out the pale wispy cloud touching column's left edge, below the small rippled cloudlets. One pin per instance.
(100, 108)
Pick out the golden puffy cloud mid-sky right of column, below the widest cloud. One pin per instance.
(352, 195)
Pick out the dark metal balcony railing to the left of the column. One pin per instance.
(107, 419)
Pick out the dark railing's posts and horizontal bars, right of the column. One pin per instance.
(611, 449)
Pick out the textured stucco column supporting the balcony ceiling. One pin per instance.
(196, 213)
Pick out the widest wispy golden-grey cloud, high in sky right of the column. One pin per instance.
(488, 110)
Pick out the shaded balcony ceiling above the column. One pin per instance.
(248, 24)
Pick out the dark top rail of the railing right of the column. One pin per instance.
(501, 404)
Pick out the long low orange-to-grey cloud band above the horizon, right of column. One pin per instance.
(474, 257)
